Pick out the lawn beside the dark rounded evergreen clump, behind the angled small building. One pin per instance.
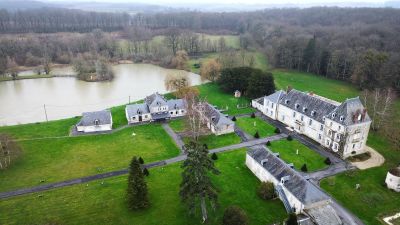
(211, 93)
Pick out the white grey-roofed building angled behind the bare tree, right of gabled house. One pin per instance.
(217, 122)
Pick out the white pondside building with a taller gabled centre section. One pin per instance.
(155, 108)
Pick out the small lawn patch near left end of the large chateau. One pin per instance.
(247, 125)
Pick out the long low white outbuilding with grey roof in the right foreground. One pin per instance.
(297, 194)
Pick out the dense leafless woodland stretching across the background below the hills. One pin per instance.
(357, 45)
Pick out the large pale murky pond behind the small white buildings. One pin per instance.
(23, 101)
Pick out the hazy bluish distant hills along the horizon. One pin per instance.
(13, 5)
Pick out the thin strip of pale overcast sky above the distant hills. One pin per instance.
(223, 1)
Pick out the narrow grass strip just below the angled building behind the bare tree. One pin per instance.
(214, 141)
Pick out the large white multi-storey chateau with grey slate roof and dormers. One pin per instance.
(340, 127)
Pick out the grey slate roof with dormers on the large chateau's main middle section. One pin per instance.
(308, 102)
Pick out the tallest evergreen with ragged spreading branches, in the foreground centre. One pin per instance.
(196, 186)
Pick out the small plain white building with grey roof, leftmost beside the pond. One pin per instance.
(95, 122)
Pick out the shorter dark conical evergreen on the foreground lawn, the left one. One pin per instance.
(137, 187)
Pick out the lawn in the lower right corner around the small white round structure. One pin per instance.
(379, 200)
